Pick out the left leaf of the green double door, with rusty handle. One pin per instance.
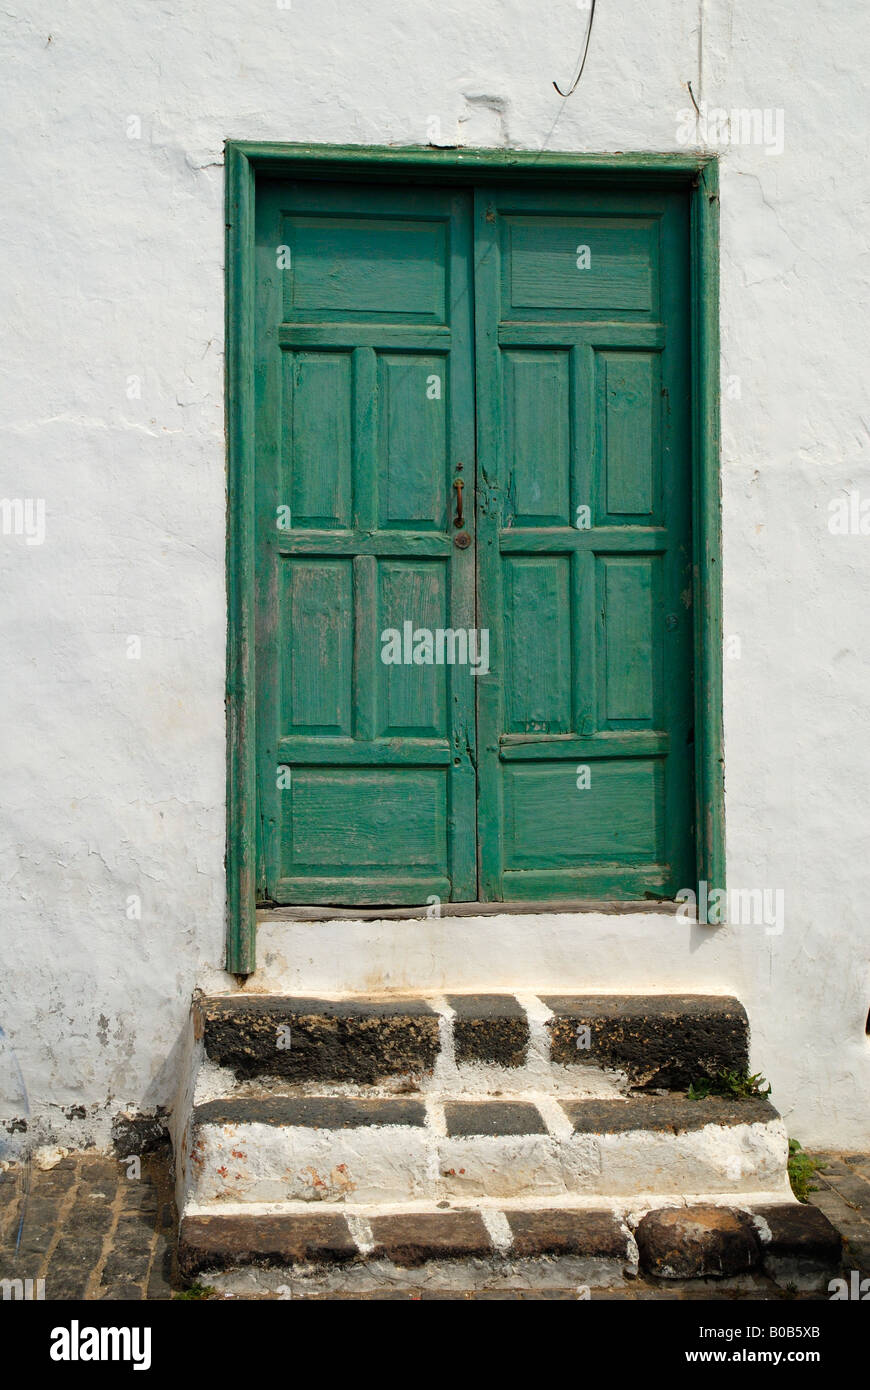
(365, 420)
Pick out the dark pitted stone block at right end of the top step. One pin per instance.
(658, 1040)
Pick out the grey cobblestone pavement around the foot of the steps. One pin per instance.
(90, 1231)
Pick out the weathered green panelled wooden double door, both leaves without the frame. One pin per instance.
(397, 329)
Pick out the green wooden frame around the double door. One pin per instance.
(696, 173)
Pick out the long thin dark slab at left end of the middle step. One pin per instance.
(311, 1111)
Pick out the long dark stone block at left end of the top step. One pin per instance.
(330, 1040)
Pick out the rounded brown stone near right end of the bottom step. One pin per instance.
(697, 1242)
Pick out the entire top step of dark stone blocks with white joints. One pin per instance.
(484, 1040)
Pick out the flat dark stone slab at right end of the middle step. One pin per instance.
(666, 1114)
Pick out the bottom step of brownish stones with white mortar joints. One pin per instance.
(487, 1248)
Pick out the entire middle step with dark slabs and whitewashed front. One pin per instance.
(393, 1150)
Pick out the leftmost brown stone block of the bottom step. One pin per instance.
(281, 1239)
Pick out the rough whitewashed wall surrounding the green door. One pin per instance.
(113, 769)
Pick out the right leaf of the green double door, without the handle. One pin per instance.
(584, 544)
